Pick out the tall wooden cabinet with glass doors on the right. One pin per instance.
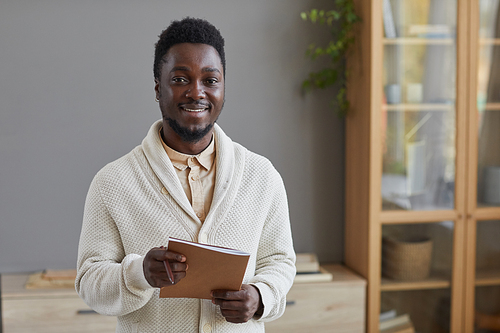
(423, 158)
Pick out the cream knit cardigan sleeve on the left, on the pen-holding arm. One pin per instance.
(107, 280)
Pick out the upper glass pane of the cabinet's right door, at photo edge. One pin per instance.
(488, 101)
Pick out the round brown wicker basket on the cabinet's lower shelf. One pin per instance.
(407, 260)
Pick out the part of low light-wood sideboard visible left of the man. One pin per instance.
(47, 310)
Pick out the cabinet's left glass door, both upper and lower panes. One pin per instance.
(418, 127)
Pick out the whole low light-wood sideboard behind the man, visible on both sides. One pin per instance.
(338, 305)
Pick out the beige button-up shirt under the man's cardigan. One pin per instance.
(197, 176)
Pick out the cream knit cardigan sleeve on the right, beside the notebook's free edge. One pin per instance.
(275, 265)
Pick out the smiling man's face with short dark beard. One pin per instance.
(190, 92)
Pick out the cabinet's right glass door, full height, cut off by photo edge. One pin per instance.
(487, 231)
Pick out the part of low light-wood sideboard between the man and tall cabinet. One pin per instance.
(335, 306)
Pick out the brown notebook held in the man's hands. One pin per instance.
(209, 268)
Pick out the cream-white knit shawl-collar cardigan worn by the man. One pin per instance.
(136, 202)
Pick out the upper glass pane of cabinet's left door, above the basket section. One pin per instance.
(418, 111)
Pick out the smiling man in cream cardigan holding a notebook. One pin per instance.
(186, 180)
